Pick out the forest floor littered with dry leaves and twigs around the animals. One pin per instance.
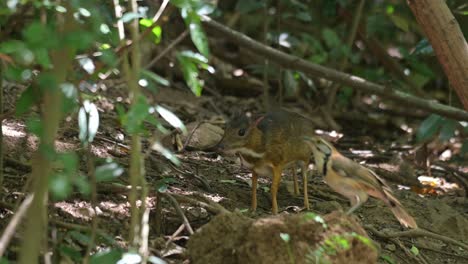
(207, 183)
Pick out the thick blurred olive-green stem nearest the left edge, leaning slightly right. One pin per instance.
(36, 218)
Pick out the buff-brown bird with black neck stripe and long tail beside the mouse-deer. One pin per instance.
(354, 181)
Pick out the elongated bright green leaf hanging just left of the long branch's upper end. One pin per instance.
(193, 22)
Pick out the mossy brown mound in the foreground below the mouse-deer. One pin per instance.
(296, 238)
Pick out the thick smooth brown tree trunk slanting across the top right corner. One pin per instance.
(443, 32)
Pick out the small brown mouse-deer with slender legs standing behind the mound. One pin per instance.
(267, 144)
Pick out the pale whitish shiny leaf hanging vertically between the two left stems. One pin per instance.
(88, 122)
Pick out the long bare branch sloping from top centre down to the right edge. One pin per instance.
(296, 63)
